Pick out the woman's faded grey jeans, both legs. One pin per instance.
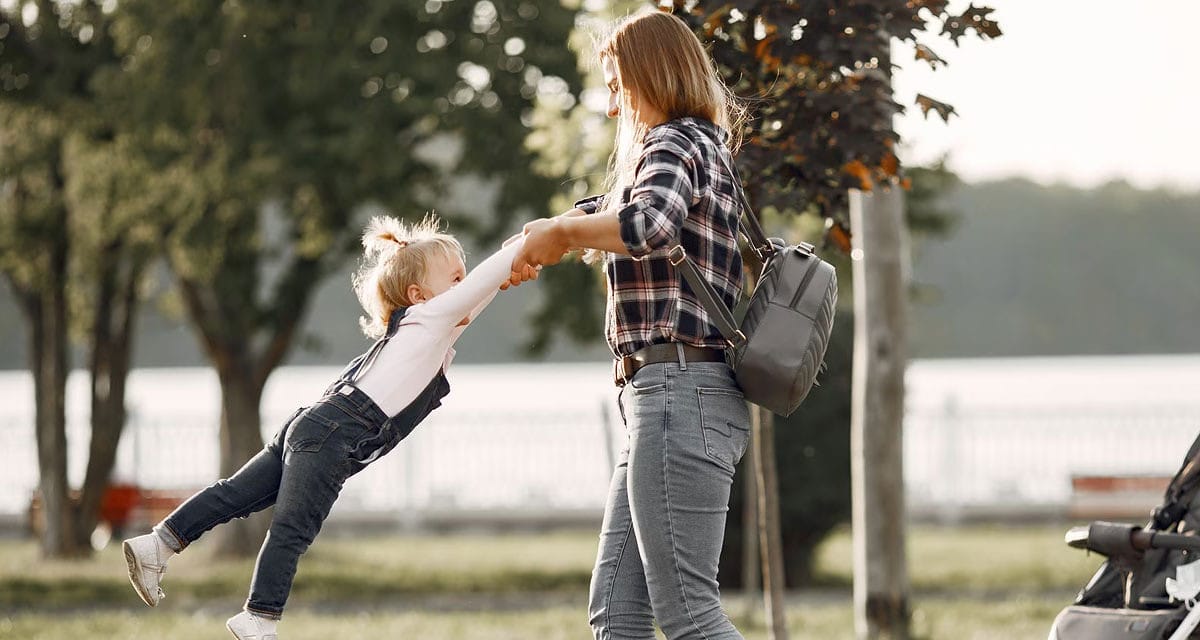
(664, 524)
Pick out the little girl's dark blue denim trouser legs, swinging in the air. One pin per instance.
(302, 471)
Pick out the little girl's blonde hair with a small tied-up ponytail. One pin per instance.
(397, 256)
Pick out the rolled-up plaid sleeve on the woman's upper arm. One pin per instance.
(659, 200)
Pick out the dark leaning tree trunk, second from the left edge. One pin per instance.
(112, 345)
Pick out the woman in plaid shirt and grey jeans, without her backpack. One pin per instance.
(686, 417)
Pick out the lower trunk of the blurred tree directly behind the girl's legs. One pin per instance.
(241, 440)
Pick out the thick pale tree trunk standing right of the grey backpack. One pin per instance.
(881, 578)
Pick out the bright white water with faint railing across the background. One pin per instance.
(525, 440)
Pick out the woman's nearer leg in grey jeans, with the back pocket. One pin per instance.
(688, 430)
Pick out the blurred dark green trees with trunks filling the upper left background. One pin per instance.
(243, 146)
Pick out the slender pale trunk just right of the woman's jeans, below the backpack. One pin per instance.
(763, 426)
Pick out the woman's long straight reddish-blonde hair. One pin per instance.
(659, 58)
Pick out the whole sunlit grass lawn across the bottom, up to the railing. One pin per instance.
(971, 583)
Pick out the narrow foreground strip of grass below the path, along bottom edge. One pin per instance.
(1007, 619)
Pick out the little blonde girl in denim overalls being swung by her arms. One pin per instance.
(418, 301)
